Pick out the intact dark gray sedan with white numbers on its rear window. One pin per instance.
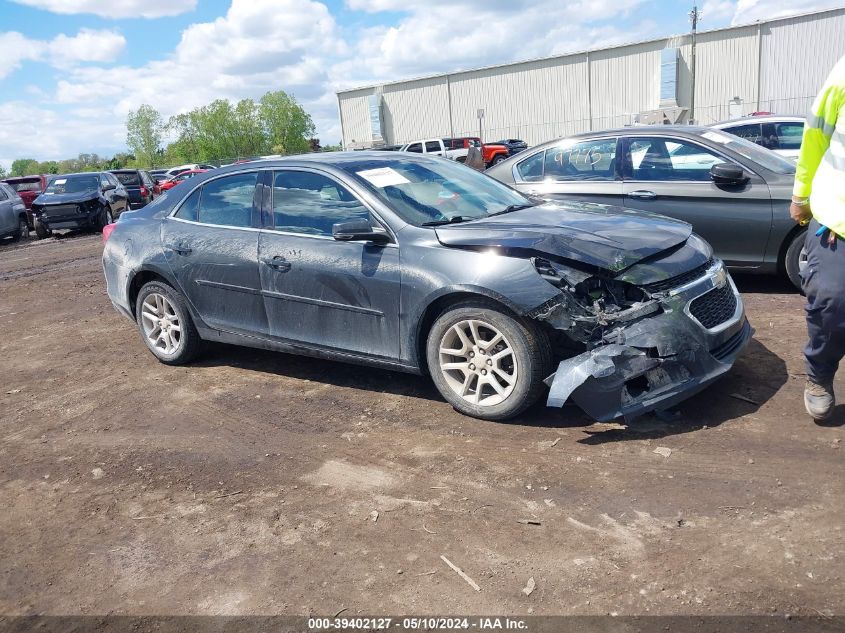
(734, 193)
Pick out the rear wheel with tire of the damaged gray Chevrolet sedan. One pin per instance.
(165, 324)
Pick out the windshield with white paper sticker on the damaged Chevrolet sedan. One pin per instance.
(435, 190)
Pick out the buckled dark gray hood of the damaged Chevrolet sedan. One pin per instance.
(607, 237)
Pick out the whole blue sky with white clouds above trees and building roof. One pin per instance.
(70, 70)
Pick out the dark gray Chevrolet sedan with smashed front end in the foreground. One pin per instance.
(423, 265)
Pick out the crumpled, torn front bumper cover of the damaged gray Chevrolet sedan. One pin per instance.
(658, 361)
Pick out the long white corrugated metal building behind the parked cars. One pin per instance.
(775, 66)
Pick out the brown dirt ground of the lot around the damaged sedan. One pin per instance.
(249, 482)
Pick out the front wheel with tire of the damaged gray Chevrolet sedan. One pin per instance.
(486, 363)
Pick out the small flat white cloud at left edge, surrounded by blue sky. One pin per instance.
(62, 51)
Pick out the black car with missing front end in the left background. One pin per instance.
(89, 200)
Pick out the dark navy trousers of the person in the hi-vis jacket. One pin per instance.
(823, 283)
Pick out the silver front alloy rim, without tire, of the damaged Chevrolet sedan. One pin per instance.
(478, 362)
